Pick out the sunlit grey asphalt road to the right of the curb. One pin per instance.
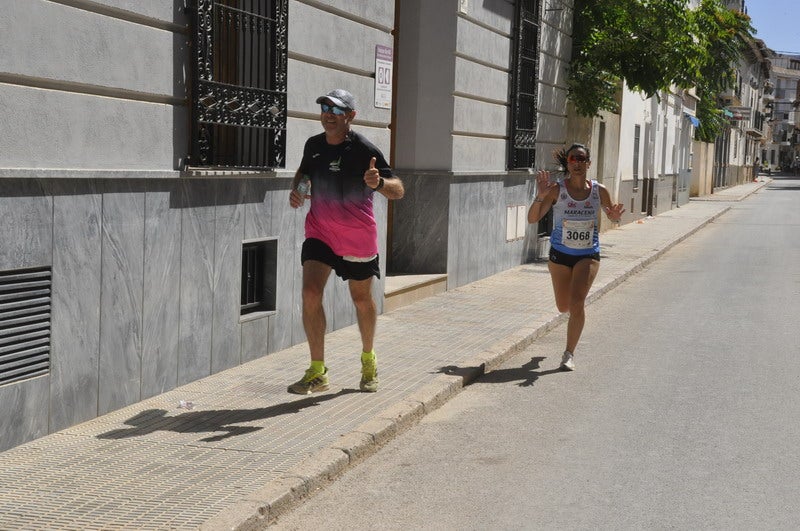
(683, 413)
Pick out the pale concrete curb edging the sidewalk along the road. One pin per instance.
(258, 510)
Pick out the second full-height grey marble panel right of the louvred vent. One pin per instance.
(121, 294)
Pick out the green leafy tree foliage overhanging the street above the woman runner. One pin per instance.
(655, 45)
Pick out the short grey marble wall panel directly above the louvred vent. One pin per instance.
(26, 230)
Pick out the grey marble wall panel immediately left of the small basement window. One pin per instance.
(228, 235)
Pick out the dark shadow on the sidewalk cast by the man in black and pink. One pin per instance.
(214, 420)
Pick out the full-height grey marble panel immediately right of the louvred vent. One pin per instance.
(77, 270)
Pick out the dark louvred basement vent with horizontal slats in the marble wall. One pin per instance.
(24, 324)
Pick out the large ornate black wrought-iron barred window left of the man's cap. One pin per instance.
(239, 84)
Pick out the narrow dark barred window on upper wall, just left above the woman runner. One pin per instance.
(522, 146)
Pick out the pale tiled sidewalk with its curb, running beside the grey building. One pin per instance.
(244, 451)
